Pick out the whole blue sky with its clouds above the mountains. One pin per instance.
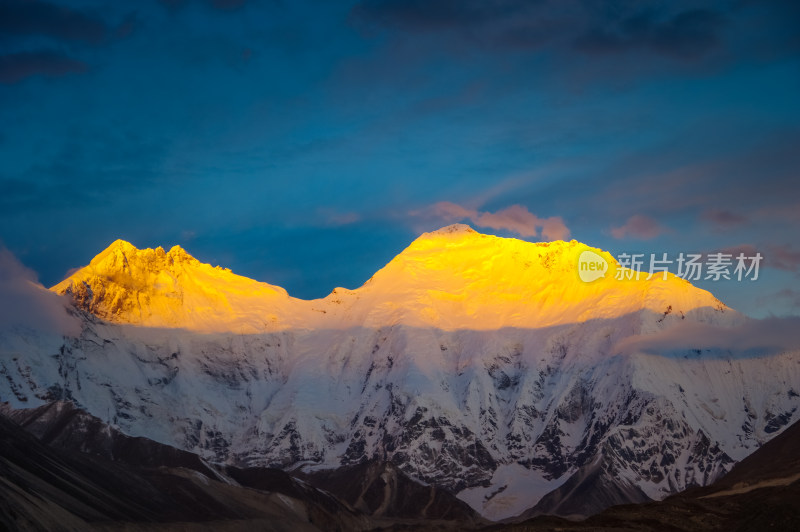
(306, 143)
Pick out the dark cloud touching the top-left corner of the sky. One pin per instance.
(32, 17)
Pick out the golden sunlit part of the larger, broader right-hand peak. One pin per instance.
(457, 278)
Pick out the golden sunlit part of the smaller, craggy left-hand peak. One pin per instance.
(170, 289)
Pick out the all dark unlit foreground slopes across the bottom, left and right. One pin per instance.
(54, 487)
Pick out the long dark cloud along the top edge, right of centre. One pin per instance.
(586, 27)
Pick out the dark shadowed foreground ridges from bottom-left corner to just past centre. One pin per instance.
(90, 472)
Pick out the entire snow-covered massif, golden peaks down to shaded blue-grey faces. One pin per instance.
(480, 364)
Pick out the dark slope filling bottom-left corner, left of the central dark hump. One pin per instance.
(140, 482)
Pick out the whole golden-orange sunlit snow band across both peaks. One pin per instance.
(453, 278)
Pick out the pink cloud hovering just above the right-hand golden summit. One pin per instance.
(515, 218)
